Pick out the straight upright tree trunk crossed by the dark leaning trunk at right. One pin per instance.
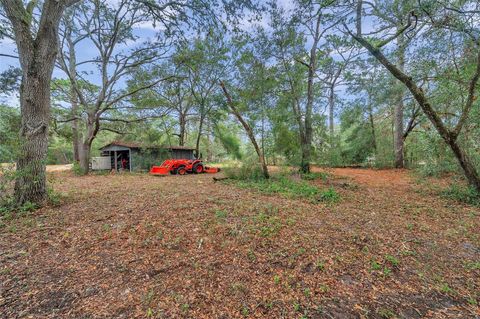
(398, 114)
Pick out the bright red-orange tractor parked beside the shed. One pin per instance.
(182, 167)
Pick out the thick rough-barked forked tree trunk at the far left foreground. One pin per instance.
(37, 54)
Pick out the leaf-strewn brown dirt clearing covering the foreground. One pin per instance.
(137, 246)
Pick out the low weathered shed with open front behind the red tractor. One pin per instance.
(135, 156)
